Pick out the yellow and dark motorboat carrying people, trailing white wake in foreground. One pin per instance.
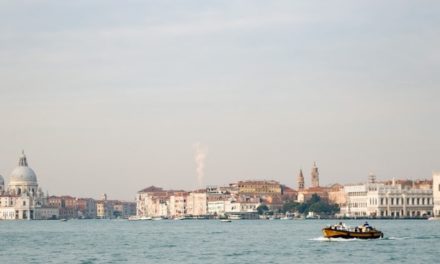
(342, 231)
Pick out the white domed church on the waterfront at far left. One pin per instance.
(23, 199)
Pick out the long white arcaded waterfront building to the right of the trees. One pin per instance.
(387, 201)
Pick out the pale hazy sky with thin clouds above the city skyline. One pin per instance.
(114, 96)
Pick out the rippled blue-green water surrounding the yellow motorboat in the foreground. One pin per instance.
(211, 241)
